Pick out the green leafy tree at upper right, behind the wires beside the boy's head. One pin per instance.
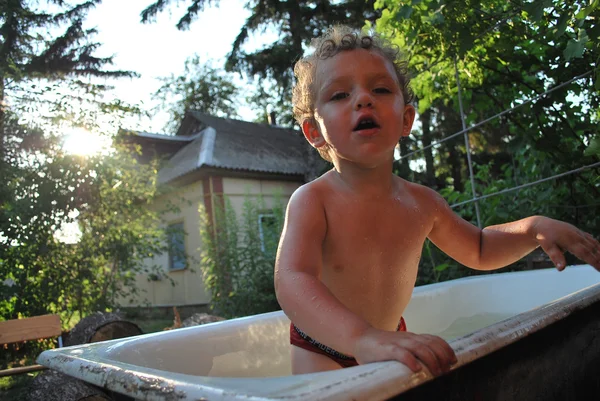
(499, 66)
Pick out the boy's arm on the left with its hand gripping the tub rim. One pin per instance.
(313, 308)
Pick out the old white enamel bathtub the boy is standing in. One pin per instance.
(248, 358)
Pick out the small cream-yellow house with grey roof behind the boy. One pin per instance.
(207, 159)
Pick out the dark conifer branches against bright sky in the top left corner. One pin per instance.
(30, 54)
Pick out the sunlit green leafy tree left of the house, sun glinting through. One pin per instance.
(46, 189)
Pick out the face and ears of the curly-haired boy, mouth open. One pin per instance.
(359, 108)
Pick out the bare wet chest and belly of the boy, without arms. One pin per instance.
(363, 239)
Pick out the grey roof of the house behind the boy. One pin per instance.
(208, 141)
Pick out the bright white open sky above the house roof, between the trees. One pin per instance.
(158, 49)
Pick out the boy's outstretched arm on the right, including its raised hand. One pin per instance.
(500, 245)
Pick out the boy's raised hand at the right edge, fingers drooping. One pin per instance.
(555, 237)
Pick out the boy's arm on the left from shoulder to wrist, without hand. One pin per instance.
(303, 297)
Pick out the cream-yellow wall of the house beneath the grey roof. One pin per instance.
(189, 288)
